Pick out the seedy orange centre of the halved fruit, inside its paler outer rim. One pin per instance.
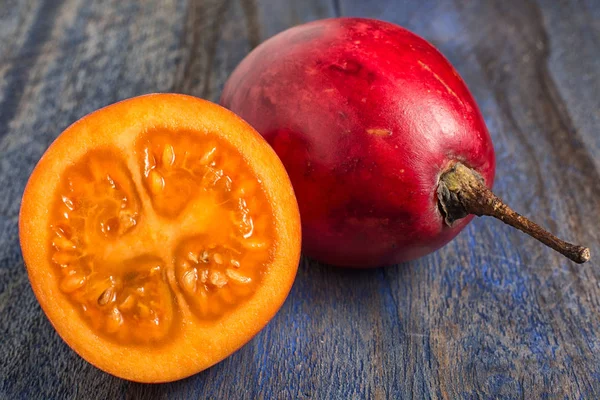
(179, 226)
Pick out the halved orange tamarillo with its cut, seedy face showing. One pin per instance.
(160, 235)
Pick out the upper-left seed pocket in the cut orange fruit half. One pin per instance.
(95, 205)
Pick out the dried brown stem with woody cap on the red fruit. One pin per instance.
(462, 191)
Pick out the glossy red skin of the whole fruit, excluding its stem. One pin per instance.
(365, 116)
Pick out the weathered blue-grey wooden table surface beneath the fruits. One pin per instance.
(491, 315)
